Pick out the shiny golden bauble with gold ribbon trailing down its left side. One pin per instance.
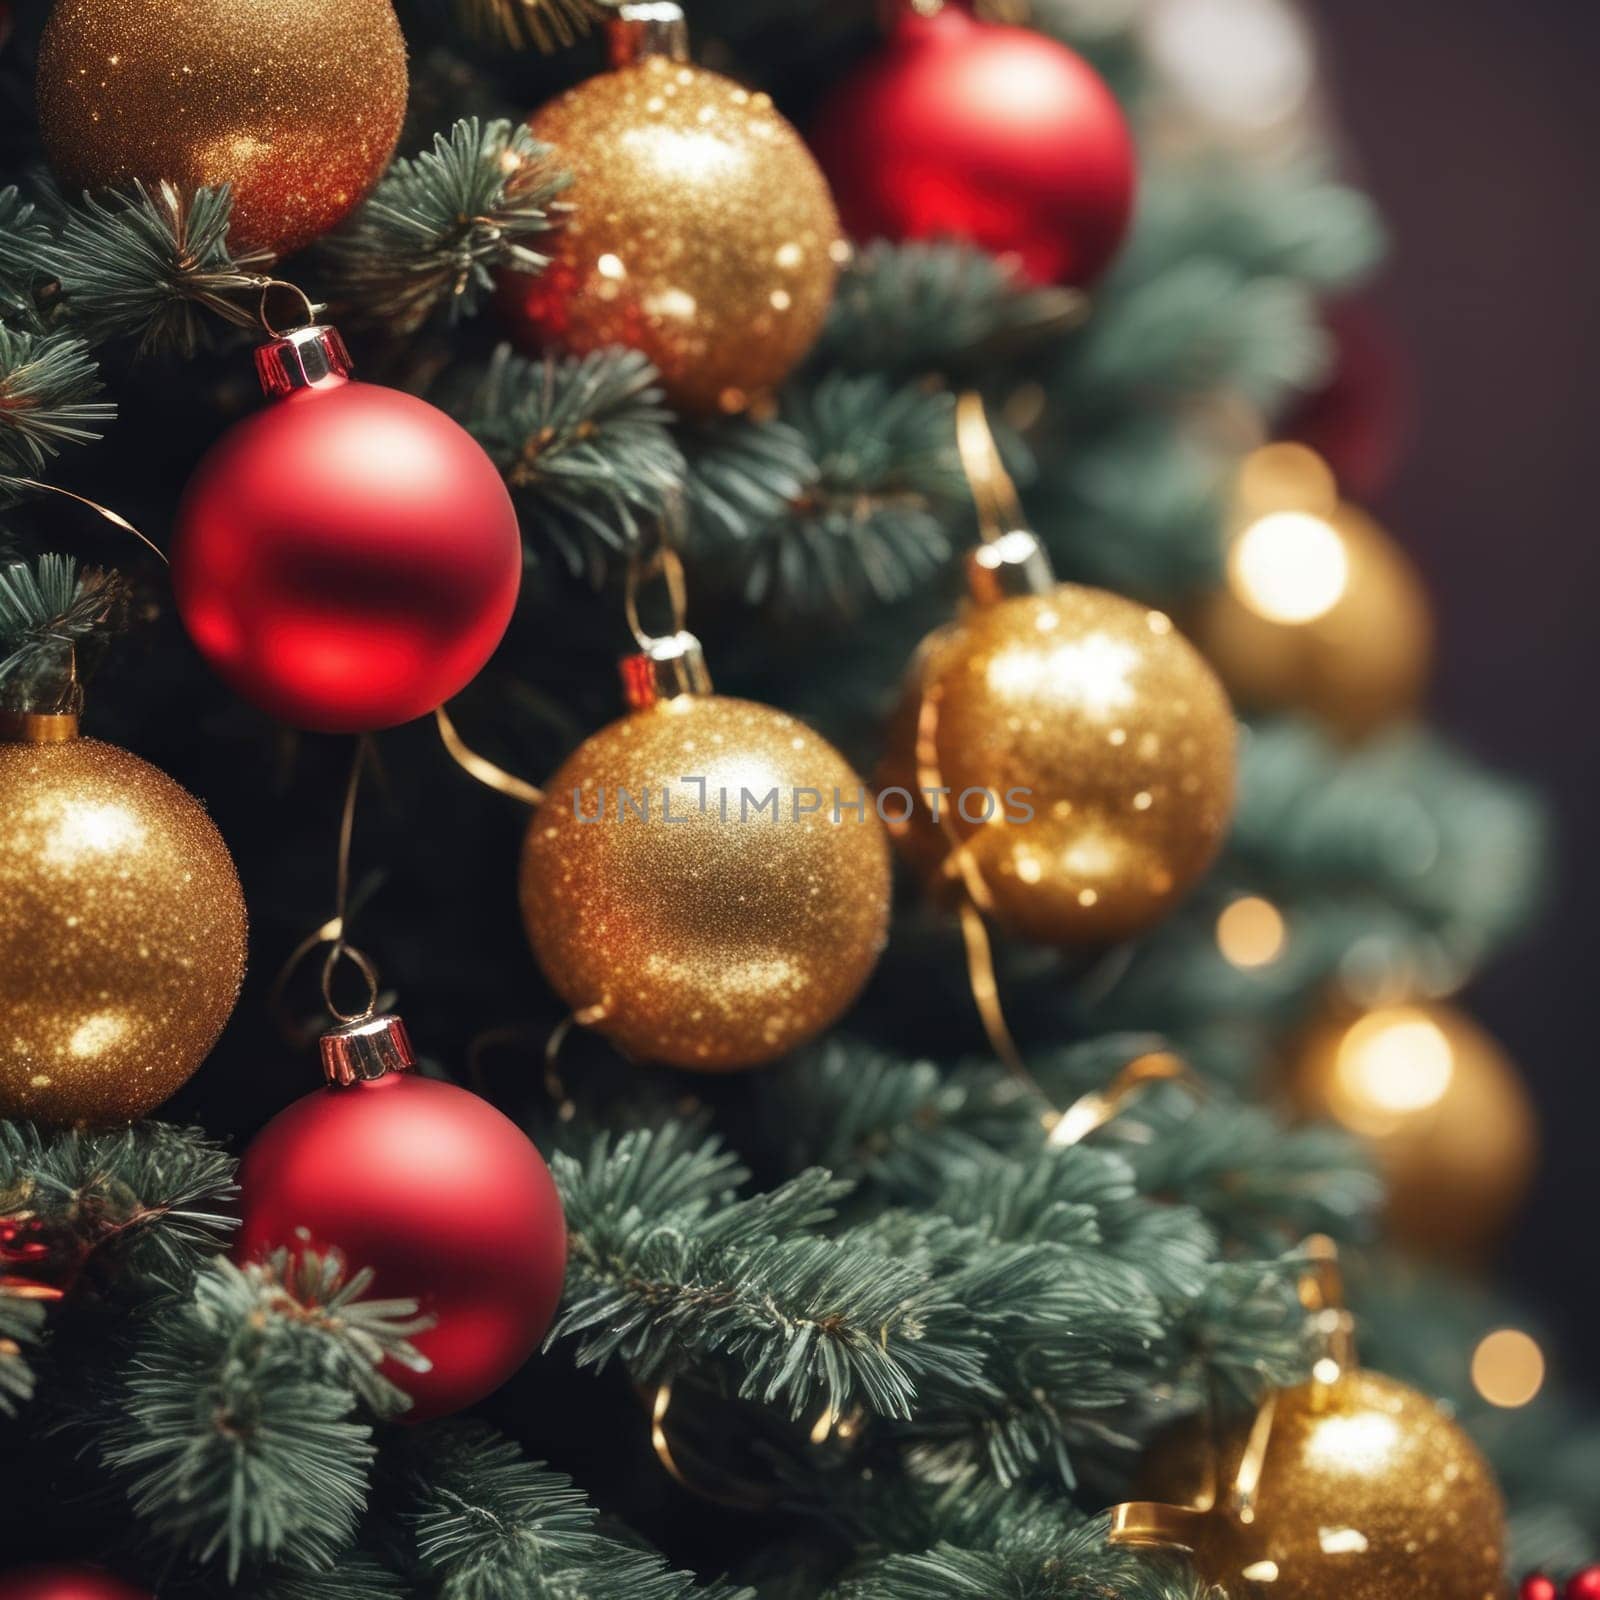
(1095, 716)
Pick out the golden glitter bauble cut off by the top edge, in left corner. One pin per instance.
(294, 103)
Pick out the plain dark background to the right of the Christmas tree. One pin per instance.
(1476, 124)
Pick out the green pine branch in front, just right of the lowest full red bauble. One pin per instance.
(666, 1270)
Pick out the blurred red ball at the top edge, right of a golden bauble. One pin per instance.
(986, 134)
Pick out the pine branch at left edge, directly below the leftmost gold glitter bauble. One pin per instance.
(148, 1202)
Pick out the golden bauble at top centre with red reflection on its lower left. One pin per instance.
(703, 233)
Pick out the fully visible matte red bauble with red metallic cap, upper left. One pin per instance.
(348, 558)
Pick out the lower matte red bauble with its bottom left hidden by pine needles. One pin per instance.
(436, 1191)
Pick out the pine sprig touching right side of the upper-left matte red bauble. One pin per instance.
(585, 446)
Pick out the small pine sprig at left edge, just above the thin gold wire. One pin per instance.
(47, 388)
